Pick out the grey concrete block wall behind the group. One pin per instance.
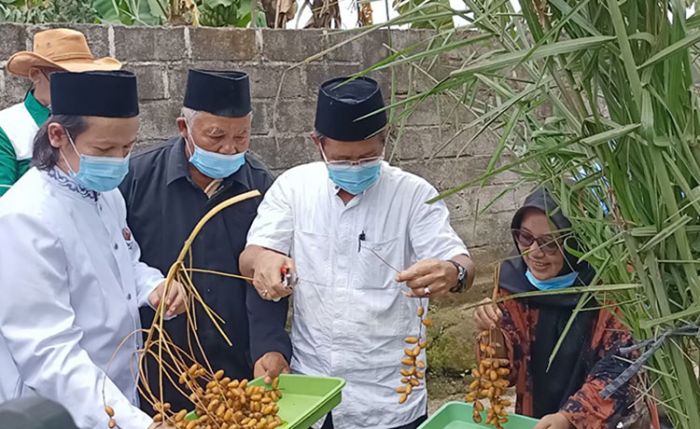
(284, 86)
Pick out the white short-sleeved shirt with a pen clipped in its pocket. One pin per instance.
(350, 316)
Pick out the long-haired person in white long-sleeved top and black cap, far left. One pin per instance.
(70, 277)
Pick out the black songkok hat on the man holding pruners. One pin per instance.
(341, 104)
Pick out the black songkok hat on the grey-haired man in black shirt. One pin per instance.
(221, 93)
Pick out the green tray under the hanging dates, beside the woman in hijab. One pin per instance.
(458, 415)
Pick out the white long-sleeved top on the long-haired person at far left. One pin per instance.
(71, 285)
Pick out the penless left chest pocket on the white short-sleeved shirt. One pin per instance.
(311, 253)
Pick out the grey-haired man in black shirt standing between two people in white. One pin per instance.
(167, 192)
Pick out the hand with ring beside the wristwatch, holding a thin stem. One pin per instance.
(429, 277)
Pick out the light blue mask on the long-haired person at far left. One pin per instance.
(98, 173)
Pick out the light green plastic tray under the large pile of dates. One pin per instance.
(305, 399)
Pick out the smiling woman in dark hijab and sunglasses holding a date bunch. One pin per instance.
(567, 394)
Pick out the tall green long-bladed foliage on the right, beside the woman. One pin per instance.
(596, 100)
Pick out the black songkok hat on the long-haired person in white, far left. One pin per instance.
(109, 94)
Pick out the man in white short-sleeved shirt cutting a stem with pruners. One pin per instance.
(365, 246)
